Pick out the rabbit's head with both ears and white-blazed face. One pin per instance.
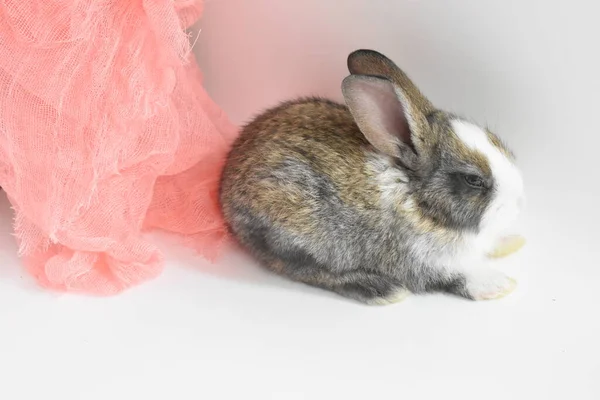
(458, 175)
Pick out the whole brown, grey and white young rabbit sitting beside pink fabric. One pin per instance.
(377, 198)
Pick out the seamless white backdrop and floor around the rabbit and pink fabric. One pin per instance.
(231, 331)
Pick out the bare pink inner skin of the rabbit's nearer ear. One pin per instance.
(384, 109)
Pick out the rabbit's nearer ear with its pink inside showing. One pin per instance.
(385, 116)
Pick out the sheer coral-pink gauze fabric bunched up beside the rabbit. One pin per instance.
(105, 131)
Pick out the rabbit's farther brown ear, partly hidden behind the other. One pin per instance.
(370, 62)
